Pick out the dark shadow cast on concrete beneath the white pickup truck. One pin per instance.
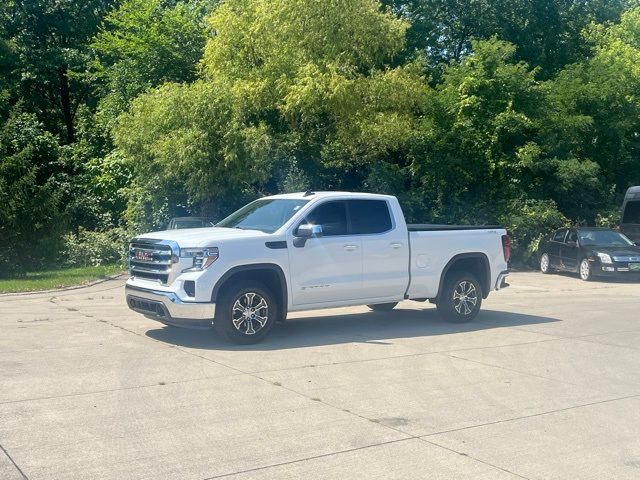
(366, 327)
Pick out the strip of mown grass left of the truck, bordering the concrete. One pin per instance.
(49, 279)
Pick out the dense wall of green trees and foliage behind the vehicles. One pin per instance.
(117, 115)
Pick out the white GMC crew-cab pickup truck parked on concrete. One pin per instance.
(311, 250)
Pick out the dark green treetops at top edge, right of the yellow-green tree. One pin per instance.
(546, 33)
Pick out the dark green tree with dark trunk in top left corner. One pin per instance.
(51, 40)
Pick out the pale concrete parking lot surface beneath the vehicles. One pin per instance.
(544, 384)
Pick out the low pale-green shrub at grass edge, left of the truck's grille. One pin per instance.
(87, 248)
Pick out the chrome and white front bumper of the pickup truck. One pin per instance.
(168, 308)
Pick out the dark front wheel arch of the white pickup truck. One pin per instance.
(270, 274)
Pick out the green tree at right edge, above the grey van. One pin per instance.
(595, 103)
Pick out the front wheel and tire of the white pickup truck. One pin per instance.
(235, 317)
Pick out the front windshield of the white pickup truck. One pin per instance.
(265, 215)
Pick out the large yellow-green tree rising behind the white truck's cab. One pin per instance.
(289, 89)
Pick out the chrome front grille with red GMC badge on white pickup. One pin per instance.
(152, 259)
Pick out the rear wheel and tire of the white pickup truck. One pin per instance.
(460, 299)
